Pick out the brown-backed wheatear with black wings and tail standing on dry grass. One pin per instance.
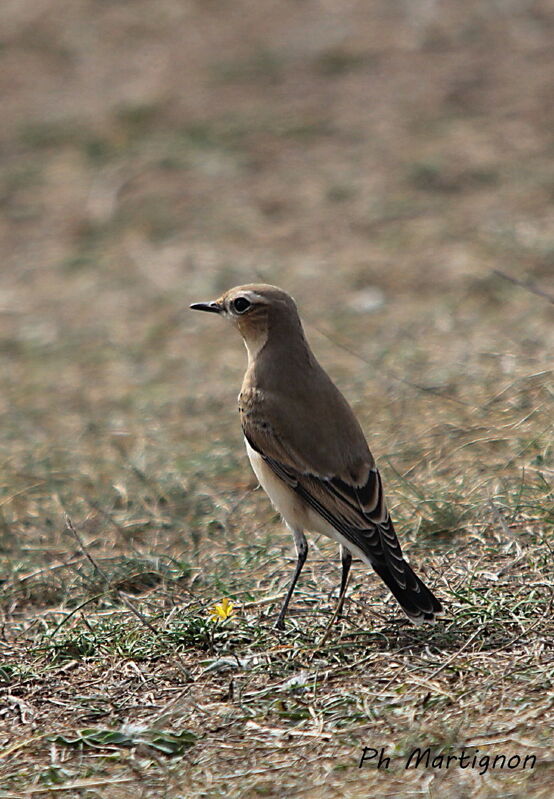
(307, 449)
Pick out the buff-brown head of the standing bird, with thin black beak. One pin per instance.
(258, 310)
